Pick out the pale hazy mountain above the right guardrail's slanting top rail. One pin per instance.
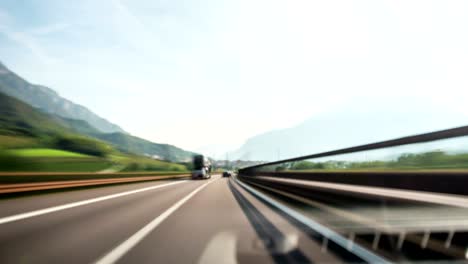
(348, 127)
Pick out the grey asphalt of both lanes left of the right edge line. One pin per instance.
(220, 223)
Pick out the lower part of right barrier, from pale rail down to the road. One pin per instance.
(438, 237)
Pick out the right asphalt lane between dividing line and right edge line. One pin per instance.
(214, 228)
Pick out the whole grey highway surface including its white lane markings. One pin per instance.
(221, 220)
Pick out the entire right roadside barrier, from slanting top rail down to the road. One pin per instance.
(339, 192)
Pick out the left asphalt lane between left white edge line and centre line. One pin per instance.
(82, 234)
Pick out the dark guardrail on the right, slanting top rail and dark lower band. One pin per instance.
(440, 181)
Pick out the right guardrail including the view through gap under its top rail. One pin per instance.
(435, 162)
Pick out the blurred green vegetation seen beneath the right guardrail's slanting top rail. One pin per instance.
(433, 160)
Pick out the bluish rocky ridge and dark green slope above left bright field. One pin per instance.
(21, 97)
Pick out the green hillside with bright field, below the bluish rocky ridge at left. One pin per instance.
(31, 140)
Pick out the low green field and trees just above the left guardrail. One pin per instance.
(73, 154)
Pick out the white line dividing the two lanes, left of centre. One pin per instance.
(118, 252)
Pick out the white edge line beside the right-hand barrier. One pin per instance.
(363, 253)
